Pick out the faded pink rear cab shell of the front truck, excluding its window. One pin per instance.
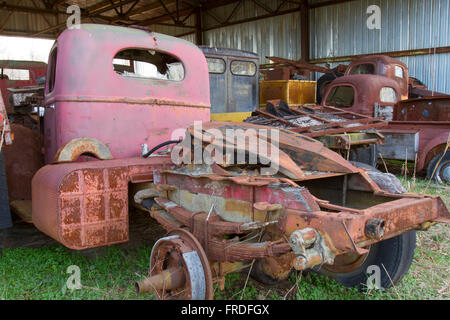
(121, 112)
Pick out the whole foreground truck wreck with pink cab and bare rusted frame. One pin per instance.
(299, 206)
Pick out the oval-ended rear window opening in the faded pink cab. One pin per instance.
(148, 64)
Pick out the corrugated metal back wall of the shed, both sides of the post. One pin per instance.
(341, 30)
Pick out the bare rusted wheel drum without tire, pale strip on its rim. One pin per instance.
(180, 249)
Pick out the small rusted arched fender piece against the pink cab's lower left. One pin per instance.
(79, 146)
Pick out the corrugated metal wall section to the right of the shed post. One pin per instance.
(341, 30)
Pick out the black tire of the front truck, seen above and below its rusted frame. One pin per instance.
(393, 255)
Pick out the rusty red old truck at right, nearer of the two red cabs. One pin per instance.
(418, 126)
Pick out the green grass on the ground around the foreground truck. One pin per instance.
(41, 273)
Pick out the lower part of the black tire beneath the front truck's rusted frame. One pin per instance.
(393, 255)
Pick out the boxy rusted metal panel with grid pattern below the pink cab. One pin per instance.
(85, 205)
